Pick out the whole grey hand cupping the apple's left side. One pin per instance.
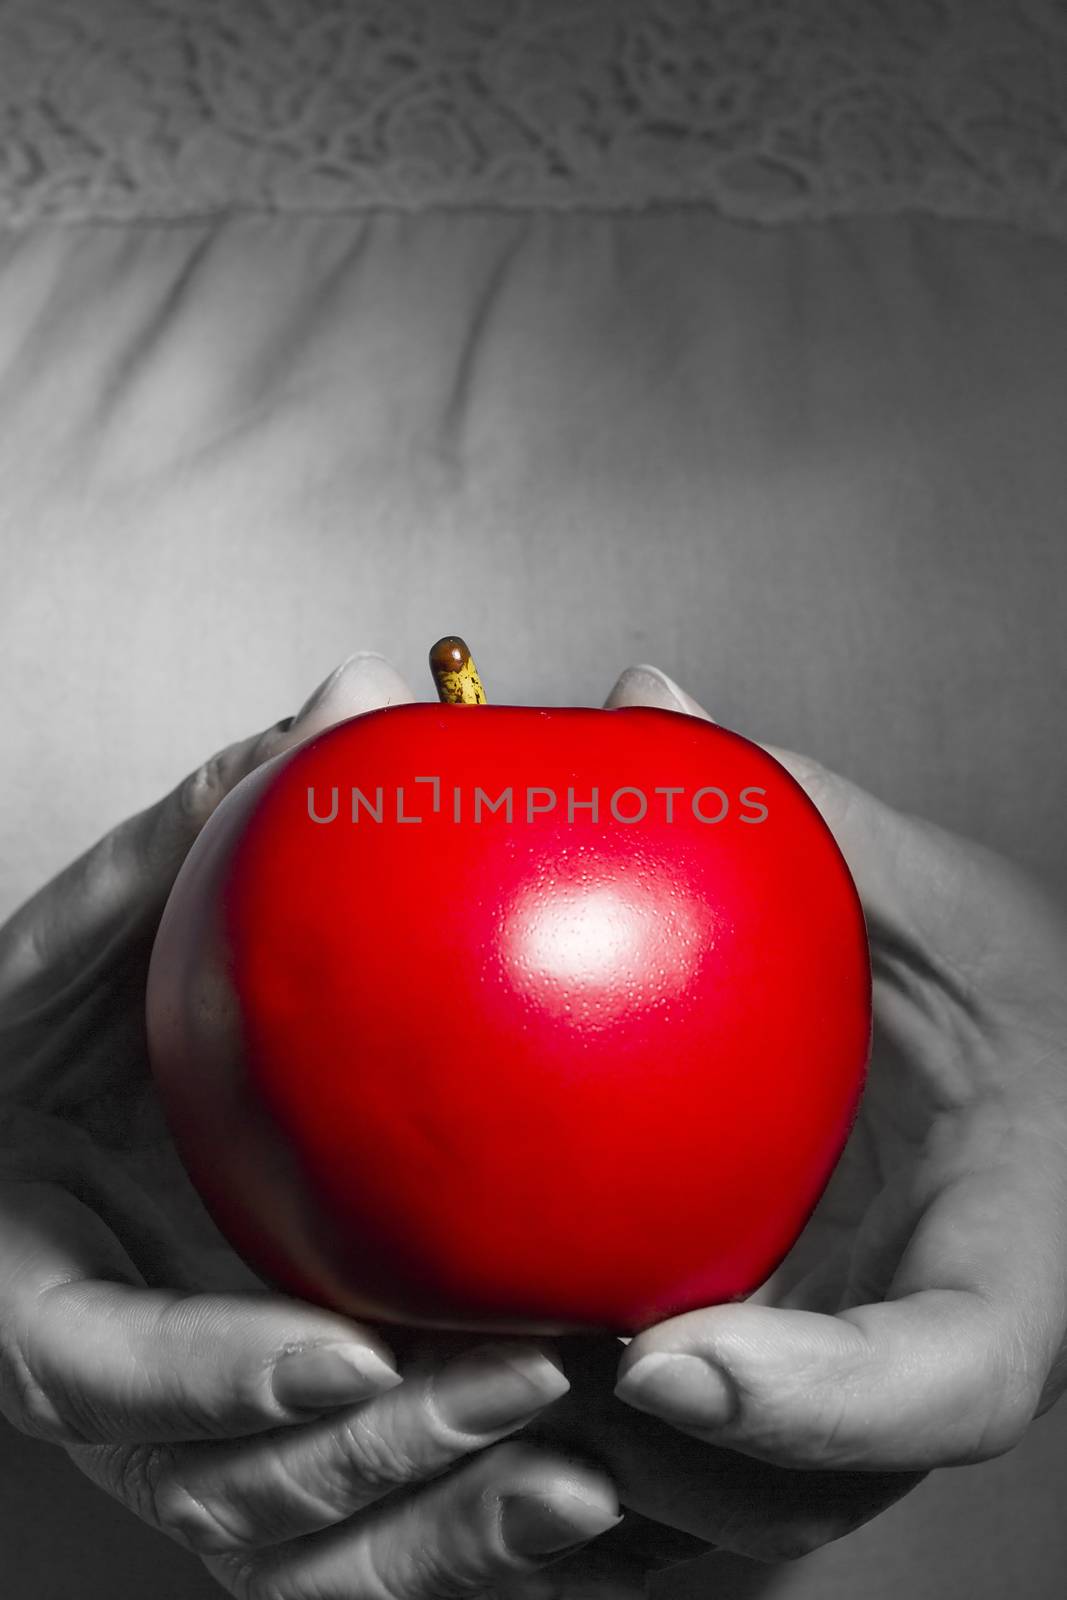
(268, 1436)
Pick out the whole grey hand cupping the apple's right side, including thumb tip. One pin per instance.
(922, 1318)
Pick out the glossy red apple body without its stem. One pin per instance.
(532, 1078)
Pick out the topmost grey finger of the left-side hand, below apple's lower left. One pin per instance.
(87, 1361)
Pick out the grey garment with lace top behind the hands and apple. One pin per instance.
(716, 335)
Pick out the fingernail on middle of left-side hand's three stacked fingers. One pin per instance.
(492, 1386)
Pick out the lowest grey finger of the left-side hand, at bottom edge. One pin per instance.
(500, 1516)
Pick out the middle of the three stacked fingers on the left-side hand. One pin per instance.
(289, 1484)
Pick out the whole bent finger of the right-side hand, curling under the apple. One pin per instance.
(948, 1370)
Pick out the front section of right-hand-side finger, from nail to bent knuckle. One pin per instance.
(930, 1380)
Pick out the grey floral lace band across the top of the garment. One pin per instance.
(770, 111)
